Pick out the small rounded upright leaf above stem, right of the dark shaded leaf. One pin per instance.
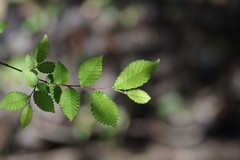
(60, 73)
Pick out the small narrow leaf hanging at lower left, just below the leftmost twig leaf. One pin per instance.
(26, 116)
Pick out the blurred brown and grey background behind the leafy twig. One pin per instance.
(194, 113)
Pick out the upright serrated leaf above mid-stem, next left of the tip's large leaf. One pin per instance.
(90, 71)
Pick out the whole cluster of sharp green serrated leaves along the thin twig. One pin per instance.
(54, 88)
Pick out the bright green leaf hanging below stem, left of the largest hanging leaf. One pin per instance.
(70, 102)
